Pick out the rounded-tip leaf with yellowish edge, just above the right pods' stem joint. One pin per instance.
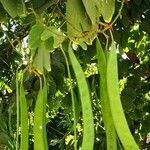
(107, 9)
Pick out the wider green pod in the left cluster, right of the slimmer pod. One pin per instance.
(40, 140)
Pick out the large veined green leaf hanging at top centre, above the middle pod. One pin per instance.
(78, 20)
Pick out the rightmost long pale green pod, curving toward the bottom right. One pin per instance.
(119, 119)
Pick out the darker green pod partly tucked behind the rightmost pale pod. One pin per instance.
(105, 104)
